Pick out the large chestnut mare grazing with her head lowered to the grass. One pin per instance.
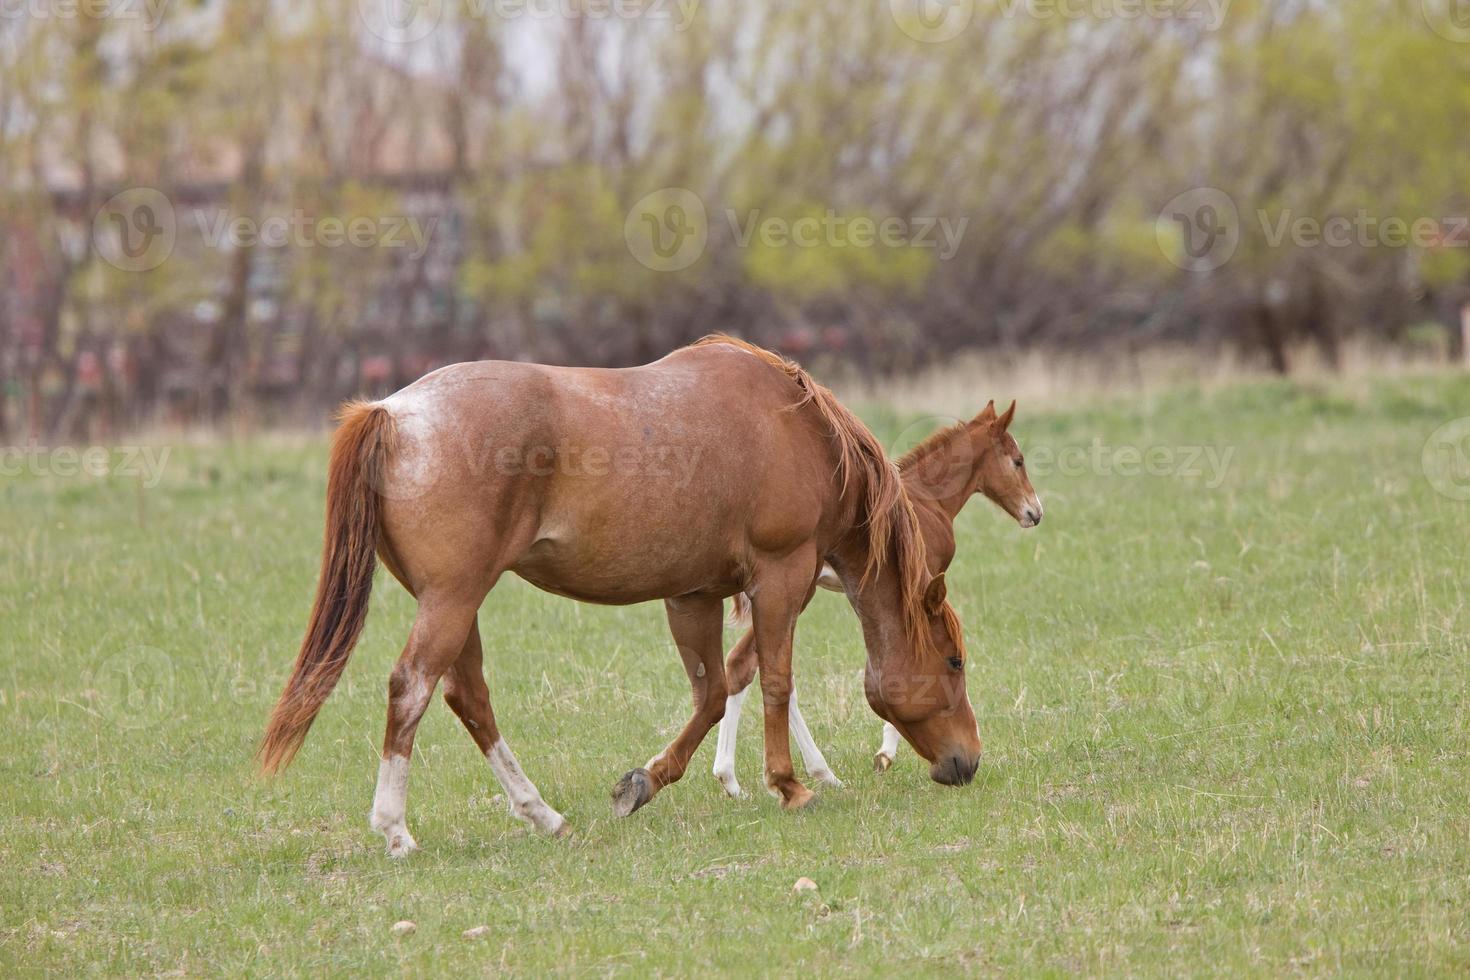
(720, 469)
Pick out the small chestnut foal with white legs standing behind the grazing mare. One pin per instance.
(940, 477)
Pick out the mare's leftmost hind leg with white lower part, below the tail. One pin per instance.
(436, 641)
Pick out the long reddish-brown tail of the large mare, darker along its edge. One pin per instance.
(349, 559)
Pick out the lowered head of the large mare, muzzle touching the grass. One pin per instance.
(921, 693)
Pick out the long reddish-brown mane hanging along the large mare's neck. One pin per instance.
(864, 465)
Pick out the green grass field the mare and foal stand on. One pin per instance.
(1225, 722)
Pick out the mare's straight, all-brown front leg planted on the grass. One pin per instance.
(780, 599)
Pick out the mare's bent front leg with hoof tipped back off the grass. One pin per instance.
(698, 627)
